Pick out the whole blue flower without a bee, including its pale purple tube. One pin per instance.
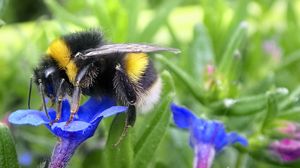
(206, 137)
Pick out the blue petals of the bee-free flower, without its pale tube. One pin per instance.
(205, 131)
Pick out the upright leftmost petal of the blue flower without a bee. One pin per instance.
(183, 117)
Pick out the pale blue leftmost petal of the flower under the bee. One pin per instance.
(32, 117)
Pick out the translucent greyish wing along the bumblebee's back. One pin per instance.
(126, 48)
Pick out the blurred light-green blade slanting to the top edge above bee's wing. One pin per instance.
(158, 20)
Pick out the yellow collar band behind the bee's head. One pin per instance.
(60, 52)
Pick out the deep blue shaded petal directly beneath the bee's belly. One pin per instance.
(94, 107)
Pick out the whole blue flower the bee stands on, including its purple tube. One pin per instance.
(71, 136)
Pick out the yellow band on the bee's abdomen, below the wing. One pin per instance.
(135, 65)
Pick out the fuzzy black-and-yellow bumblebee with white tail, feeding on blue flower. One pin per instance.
(82, 63)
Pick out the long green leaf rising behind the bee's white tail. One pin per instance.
(156, 126)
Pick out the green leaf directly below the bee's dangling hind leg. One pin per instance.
(120, 156)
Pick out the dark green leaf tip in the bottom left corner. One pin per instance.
(8, 155)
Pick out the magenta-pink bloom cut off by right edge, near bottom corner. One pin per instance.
(287, 149)
